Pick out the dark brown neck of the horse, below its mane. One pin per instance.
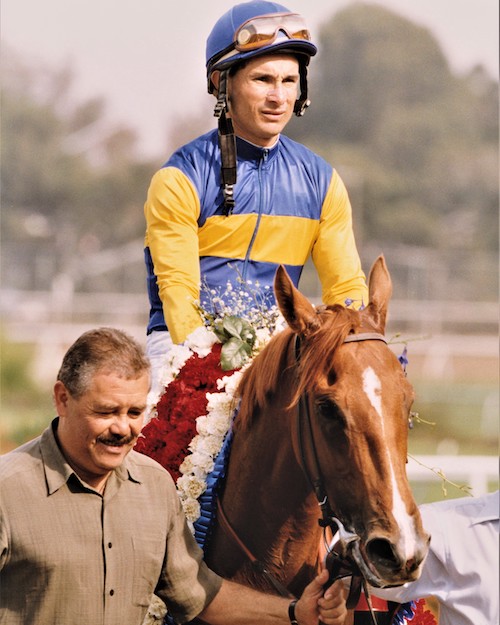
(268, 500)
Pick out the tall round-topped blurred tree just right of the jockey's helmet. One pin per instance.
(371, 62)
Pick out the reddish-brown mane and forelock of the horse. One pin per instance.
(265, 375)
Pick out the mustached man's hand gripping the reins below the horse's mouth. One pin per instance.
(317, 605)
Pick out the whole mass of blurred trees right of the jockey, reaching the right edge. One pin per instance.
(417, 144)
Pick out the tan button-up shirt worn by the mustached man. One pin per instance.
(71, 556)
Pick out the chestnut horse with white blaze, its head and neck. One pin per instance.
(324, 407)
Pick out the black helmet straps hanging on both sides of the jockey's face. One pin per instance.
(227, 139)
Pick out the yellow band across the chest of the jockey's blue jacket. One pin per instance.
(280, 239)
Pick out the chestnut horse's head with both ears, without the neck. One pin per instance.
(358, 402)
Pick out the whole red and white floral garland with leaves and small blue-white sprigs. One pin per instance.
(190, 419)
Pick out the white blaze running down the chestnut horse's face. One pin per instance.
(372, 386)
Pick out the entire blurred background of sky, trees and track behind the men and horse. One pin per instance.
(95, 96)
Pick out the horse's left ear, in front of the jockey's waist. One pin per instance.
(297, 310)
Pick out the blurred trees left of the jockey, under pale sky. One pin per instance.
(71, 185)
